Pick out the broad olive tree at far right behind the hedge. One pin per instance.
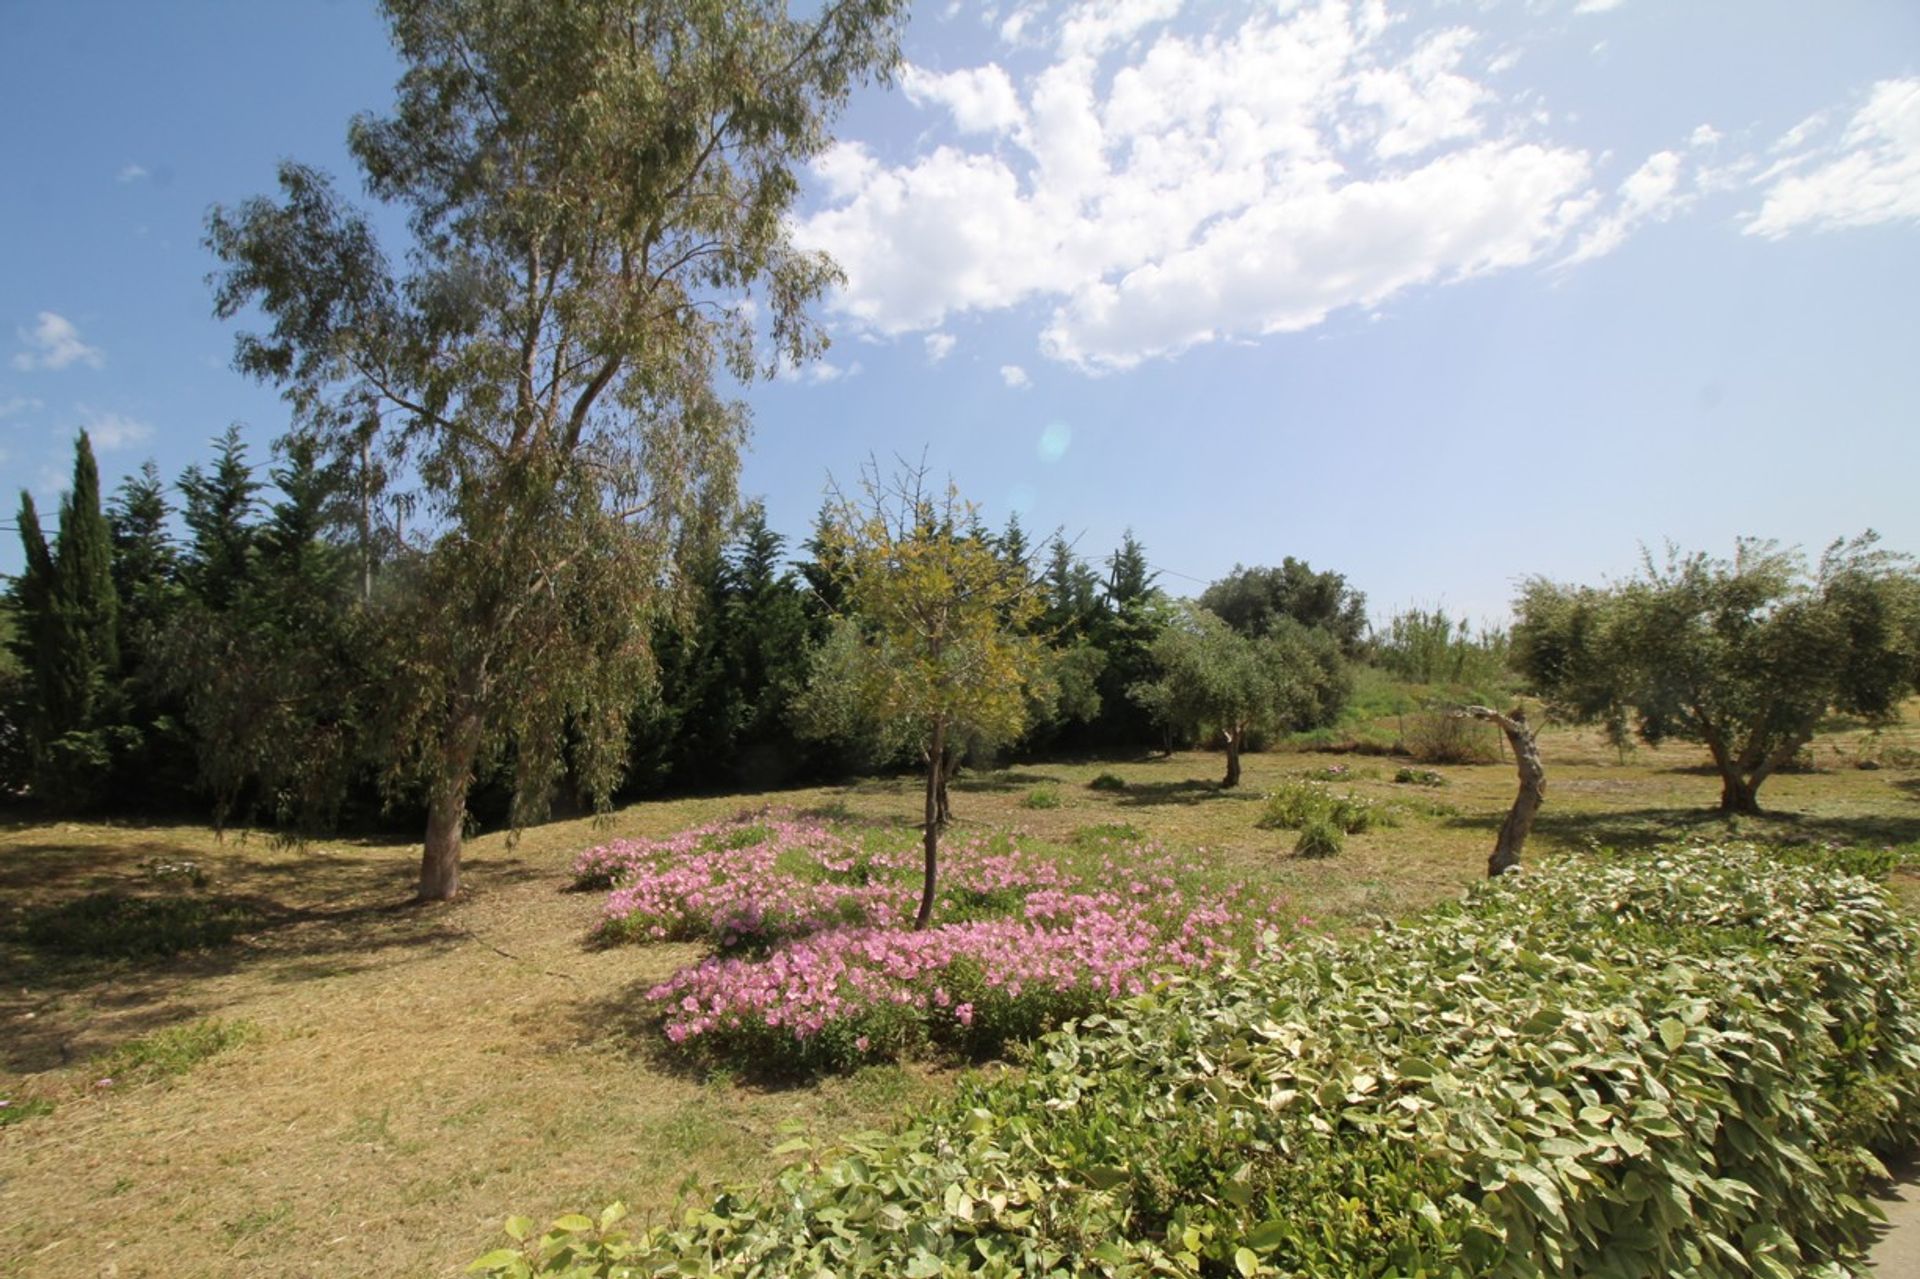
(1744, 656)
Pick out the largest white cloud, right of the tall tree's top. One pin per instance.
(1155, 189)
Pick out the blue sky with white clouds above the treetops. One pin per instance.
(1435, 295)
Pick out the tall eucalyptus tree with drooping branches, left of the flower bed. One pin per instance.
(592, 191)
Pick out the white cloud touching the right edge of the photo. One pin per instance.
(1871, 176)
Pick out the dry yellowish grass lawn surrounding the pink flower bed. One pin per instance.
(421, 1073)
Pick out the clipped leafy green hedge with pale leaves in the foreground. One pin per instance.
(1683, 1065)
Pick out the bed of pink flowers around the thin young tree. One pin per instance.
(815, 961)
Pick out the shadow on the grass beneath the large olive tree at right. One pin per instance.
(1648, 829)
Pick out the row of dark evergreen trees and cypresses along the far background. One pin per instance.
(201, 650)
